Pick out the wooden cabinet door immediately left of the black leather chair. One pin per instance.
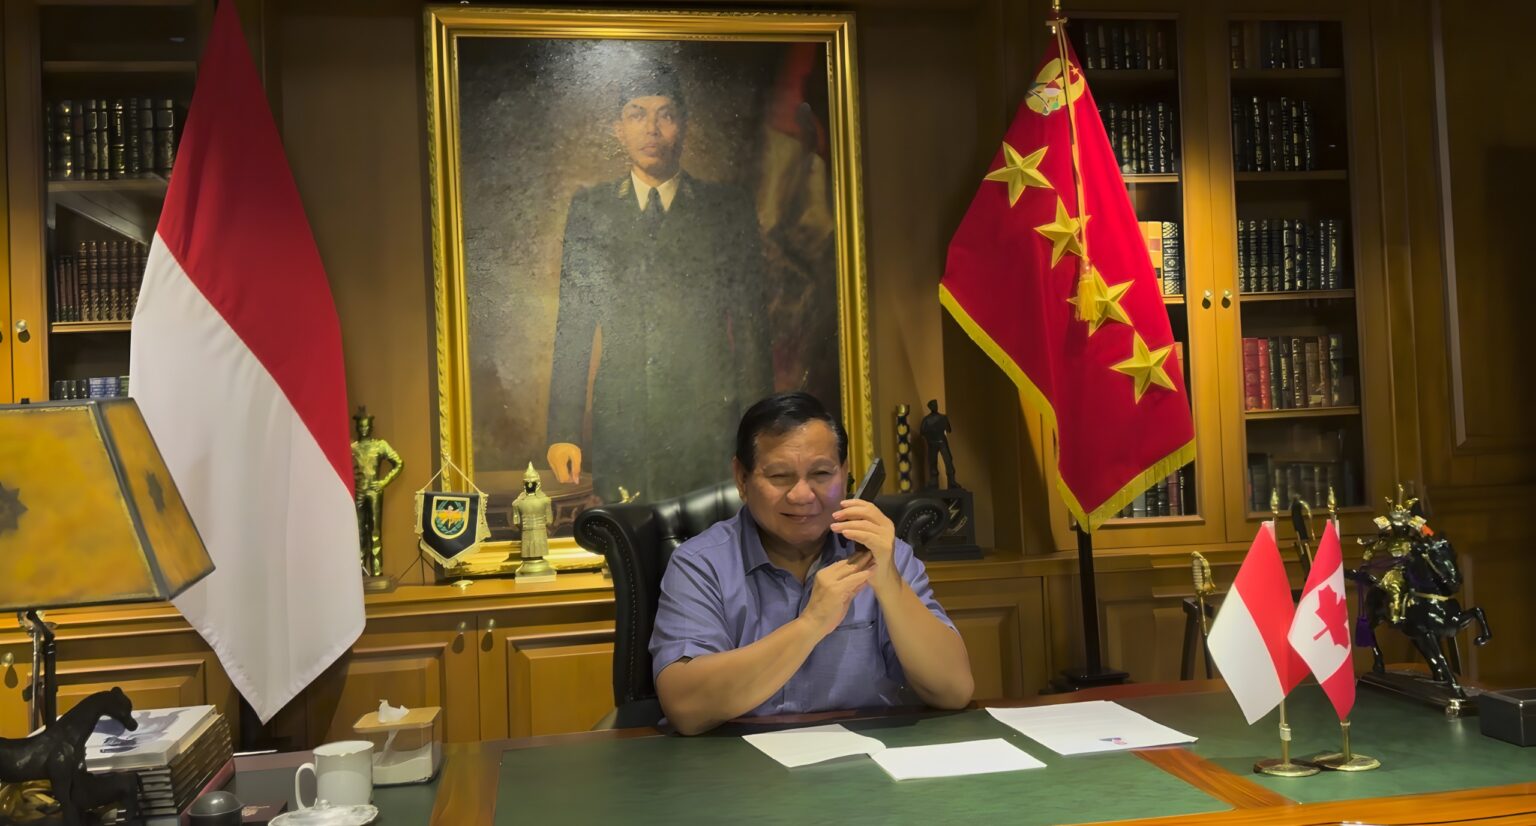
(543, 679)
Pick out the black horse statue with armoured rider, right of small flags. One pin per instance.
(1409, 581)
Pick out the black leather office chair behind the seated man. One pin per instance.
(638, 541)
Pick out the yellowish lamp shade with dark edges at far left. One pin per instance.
(88, 510)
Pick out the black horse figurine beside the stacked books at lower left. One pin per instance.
(59, 756)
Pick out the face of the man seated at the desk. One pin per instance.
(796, 486)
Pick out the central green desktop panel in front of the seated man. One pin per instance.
(724, 779)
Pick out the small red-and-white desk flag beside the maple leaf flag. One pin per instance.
(1248, 641)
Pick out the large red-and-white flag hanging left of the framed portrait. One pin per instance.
(237, 368)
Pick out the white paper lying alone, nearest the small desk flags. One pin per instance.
(1085, 729)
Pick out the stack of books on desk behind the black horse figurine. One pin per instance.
(177, 753)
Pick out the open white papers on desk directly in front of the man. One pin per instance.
(816, 744)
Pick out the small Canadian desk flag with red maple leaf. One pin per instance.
(1320, 633)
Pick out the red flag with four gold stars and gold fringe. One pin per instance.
(1051, 277)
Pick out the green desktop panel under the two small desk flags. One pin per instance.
(1422, 750)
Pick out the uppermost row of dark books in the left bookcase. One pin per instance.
(101, 139)
